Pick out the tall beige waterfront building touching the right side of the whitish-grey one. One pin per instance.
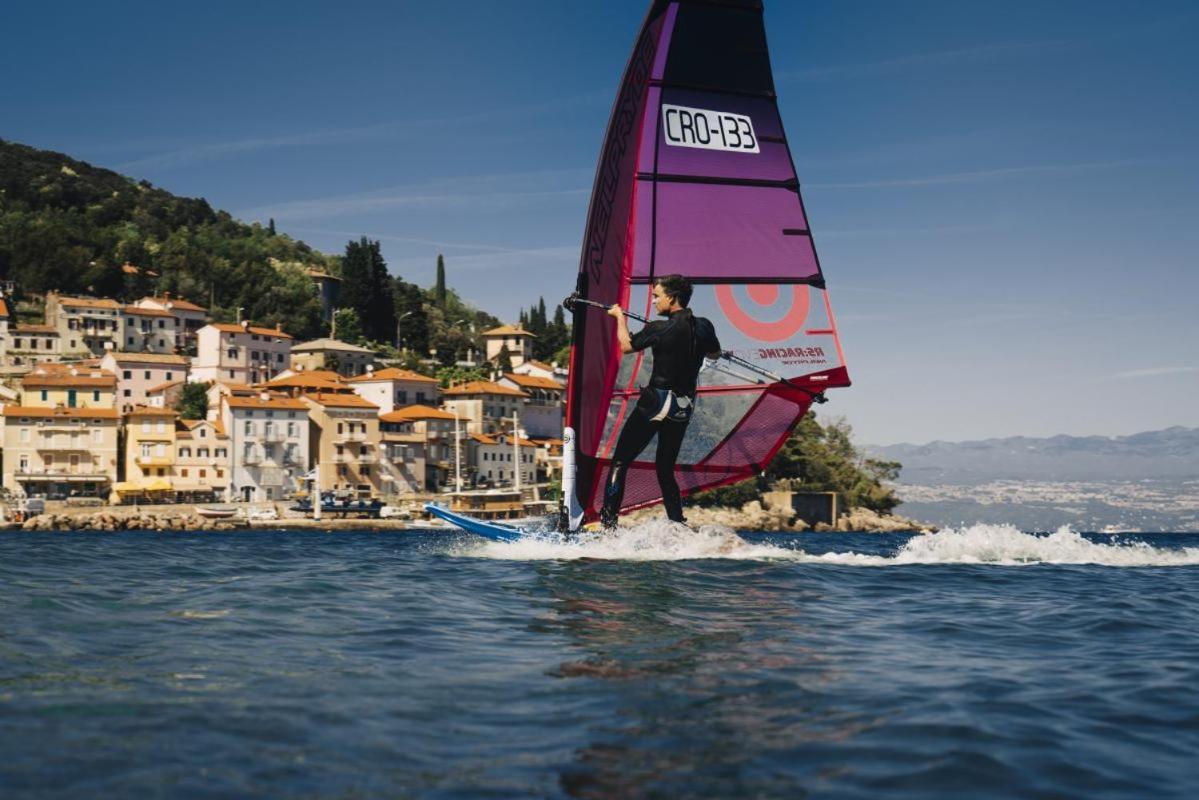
(345, 442)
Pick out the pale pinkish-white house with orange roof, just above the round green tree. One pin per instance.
(245, 353)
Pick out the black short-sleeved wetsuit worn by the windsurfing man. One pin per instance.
(679, 346)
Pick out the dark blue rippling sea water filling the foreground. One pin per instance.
(981, 663)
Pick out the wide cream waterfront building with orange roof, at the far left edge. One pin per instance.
(59, 453)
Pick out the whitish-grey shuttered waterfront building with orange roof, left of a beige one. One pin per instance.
(268, 446)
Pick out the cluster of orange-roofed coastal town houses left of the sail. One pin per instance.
(93, 414)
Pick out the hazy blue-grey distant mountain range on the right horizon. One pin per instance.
(1170, 455)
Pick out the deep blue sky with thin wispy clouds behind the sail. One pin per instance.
(1004, 196)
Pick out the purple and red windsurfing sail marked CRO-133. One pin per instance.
(696, 178)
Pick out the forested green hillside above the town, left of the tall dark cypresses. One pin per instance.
(69, 226)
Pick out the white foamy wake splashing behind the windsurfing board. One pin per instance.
(983, 544)
